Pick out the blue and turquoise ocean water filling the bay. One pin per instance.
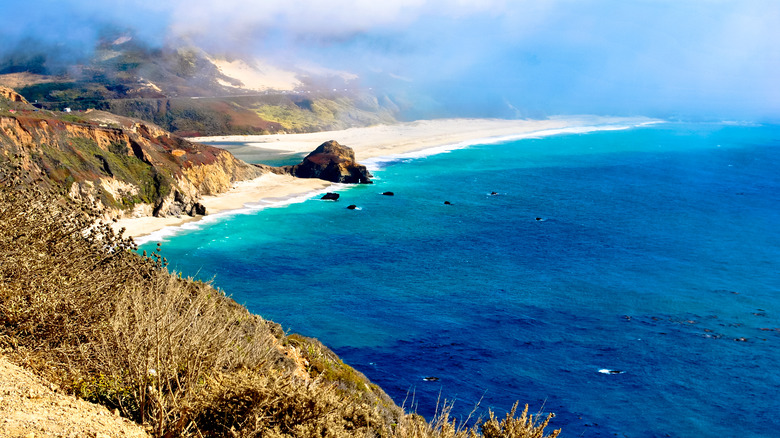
(628, 281)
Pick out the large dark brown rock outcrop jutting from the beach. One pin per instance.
(332, 162)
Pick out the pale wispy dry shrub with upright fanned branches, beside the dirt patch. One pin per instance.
(167, 337)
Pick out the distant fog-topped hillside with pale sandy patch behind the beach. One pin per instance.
(192, 93)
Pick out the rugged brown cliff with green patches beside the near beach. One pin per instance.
(127, 167)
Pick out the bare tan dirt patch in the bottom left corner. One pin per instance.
(30, 408)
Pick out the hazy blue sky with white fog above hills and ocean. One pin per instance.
(681, 58)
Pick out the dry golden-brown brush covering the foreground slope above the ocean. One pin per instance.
(80, 307)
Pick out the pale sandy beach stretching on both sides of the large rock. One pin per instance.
(372, 145)
